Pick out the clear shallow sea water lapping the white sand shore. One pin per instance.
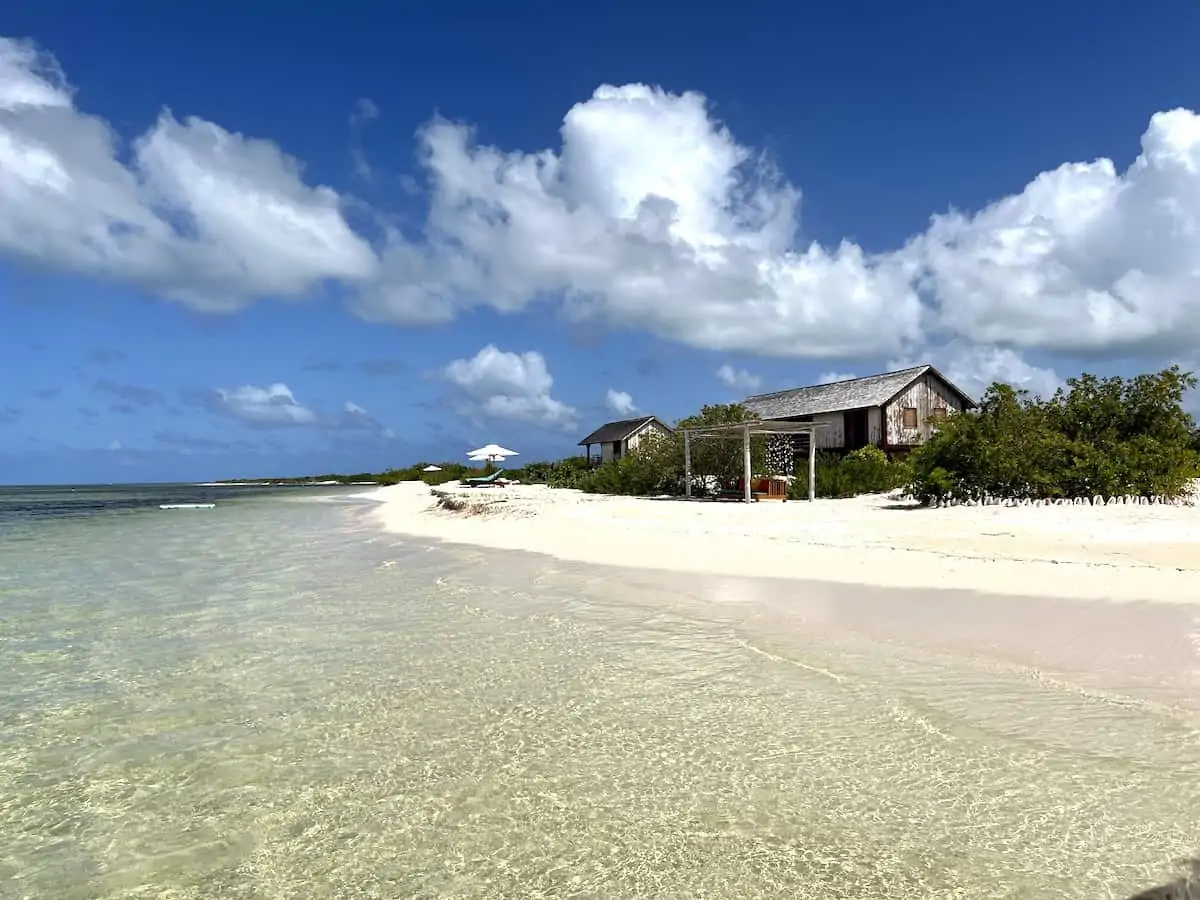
(274, 699)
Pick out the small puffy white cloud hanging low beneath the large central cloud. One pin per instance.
(509, 386)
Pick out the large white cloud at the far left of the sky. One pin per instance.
(201, 215)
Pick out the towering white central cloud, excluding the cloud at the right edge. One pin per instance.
(651, 217)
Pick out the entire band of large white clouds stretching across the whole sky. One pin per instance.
(649, 215)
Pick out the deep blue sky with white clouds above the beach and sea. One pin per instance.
(262, 239)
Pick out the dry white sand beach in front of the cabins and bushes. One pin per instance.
(1121, 553)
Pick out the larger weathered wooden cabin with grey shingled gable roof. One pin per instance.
(895, 411)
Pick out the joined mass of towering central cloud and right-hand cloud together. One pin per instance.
(651, 215)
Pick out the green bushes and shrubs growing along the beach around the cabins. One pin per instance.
(1106, 437)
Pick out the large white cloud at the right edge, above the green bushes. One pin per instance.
(1085, 259)
